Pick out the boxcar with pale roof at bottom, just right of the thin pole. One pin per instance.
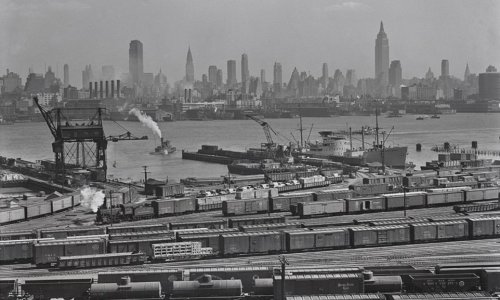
(311, 284)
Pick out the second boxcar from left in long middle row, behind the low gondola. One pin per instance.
(48, 252)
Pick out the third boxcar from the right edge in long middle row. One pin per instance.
(378, 236)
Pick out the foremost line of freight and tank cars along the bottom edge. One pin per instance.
(465, 281)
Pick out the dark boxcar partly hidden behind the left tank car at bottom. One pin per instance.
(166, 277)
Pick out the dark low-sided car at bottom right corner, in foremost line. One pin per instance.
(444, 283)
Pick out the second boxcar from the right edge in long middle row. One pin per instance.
(437, 231)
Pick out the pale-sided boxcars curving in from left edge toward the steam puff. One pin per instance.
(40, 208)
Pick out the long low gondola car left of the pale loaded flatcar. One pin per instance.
(101, 260)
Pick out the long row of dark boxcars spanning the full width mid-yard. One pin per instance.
(250, 239)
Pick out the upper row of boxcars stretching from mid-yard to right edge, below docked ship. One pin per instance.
(341, 201)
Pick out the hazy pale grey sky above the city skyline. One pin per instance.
(301, 33)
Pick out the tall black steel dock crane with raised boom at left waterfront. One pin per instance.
(80, 145)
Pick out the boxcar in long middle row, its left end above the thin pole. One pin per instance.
(317, 239)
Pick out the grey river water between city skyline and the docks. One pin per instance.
(32, 141)
